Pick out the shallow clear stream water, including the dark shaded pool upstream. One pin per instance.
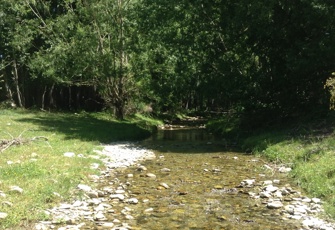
(197, 185)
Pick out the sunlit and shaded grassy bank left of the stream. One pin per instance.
(32, 147)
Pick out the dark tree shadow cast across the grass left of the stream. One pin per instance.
(88, 127)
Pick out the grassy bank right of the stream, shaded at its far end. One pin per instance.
(308, 146)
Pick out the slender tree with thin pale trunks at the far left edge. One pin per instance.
(16, 38)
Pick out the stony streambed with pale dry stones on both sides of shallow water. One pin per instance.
(138, 189)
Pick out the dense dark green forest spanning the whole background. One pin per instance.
(269, 60)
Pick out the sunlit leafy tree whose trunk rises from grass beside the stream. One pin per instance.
(90, 44)
